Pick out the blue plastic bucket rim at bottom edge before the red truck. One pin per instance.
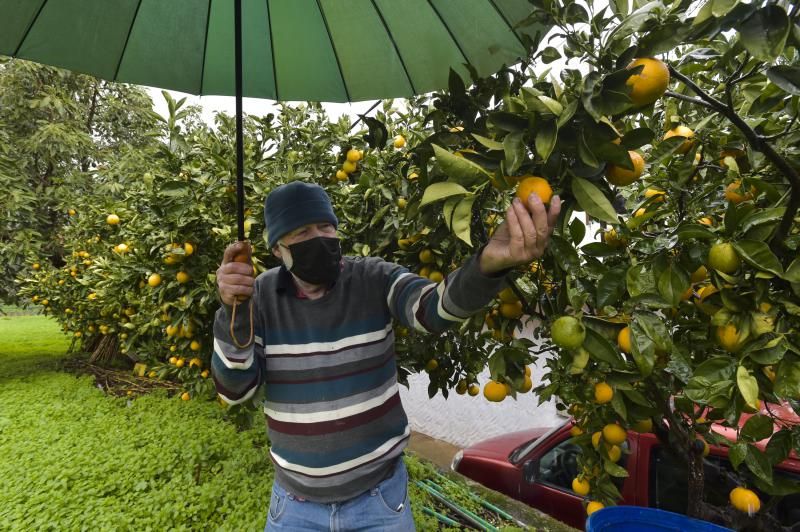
(637, 518)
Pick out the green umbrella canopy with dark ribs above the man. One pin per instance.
(318, 50)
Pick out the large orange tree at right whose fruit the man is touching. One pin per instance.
(687, 310)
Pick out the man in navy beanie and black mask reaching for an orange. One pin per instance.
(324, 349)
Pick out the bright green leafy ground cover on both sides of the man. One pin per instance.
(75, 458)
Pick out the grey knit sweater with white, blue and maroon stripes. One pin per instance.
(334, 418)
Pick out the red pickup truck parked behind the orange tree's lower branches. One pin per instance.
(537, 466)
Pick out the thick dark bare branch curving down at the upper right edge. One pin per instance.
(759, 143)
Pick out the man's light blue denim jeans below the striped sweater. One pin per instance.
(383, 508)
